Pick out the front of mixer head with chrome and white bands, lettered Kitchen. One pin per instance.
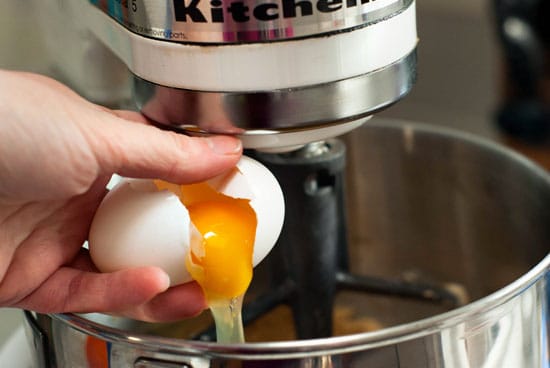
(276, 73)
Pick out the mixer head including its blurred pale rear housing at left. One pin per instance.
(236, 88)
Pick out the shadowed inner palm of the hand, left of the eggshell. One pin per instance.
(33, 250)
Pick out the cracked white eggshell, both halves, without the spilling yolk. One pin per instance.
(137, 225)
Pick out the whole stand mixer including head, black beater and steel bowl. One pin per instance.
(287, 77)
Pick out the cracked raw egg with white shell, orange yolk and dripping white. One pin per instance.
(213, 232)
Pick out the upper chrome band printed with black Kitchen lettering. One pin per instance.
(236, 21)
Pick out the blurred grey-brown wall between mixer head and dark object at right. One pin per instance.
(458, 70)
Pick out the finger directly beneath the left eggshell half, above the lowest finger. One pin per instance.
(73, 290)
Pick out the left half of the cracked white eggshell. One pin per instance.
(136, 225)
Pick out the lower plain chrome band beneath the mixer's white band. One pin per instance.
(278, 110)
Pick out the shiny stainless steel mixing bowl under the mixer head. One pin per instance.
(422, 203)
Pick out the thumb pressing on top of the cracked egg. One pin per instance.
(139, 150)
